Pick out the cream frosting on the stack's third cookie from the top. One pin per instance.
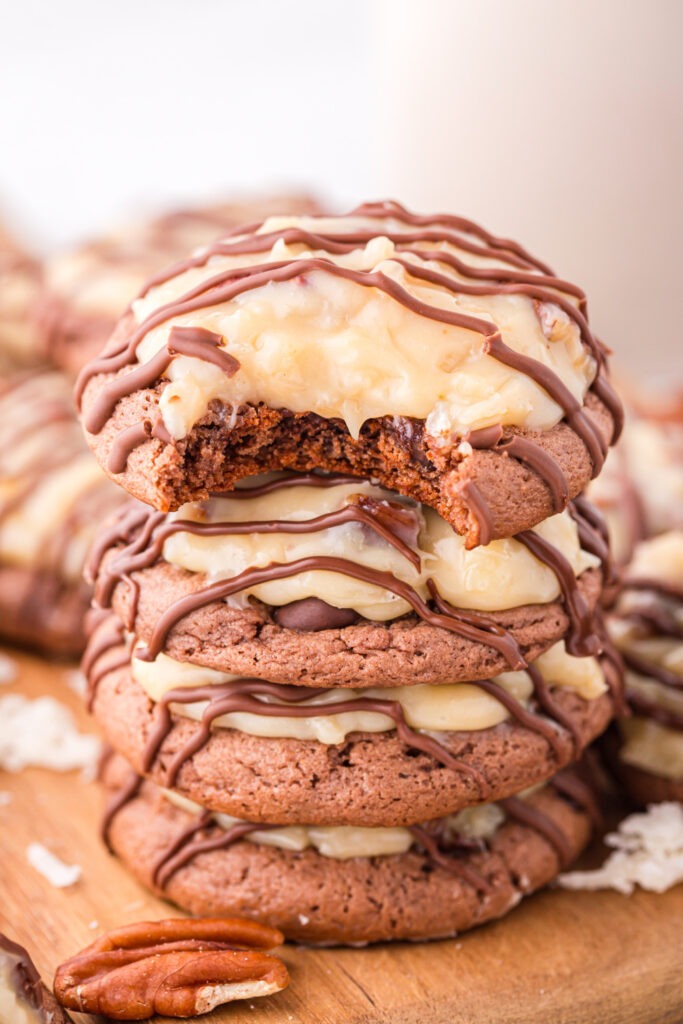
(433, 709)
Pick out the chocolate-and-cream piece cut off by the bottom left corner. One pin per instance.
(24, 998)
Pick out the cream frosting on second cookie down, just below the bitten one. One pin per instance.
(501, 575)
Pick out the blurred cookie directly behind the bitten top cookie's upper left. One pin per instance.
(88, 289)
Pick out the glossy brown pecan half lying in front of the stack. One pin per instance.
(179, 968)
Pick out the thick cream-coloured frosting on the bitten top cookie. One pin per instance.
(325, 345)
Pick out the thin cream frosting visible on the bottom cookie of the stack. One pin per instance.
(345, 842)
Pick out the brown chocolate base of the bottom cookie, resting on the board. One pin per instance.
(443, 884)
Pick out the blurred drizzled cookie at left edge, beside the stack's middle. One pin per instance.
(53, 496)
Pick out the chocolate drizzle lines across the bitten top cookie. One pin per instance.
(518, 273)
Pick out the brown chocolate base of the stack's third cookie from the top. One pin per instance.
(367, 779)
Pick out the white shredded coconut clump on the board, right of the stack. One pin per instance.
(649, 852)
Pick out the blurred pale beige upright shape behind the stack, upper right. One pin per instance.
(560, 122)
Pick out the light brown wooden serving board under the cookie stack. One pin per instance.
(561, 957)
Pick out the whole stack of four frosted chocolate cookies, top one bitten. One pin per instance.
(347, 641)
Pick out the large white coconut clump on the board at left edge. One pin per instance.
(44, 734)
